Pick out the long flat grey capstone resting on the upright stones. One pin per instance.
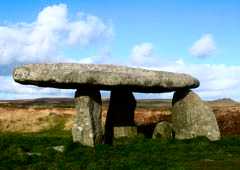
(104, 77)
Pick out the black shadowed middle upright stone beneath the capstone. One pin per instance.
(120, 112)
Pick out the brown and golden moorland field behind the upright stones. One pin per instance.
(36, 115)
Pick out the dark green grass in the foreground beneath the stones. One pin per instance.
(131, 153)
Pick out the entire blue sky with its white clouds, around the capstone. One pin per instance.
(196, 37)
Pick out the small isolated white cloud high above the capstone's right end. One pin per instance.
(203, 47)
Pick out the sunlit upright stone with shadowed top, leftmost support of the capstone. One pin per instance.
(87, 128)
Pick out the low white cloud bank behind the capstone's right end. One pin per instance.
(216, 81)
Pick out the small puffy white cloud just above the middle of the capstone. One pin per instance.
(143, 54)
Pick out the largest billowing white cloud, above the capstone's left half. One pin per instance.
(44, 39)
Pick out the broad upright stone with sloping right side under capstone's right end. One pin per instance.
(191, 117)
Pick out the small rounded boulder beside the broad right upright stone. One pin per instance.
(163, 130)
